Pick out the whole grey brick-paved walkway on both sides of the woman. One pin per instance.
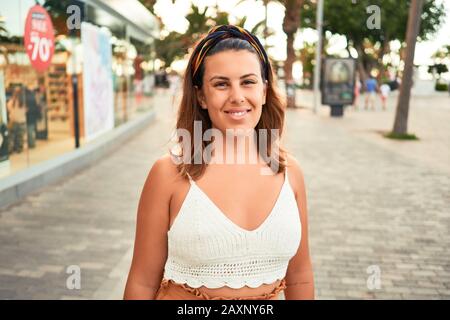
(371, 205)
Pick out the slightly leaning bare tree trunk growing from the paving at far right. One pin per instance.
(401, 115)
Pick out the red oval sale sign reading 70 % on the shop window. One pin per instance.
(39, 38)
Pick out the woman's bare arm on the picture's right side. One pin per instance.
(299, 277)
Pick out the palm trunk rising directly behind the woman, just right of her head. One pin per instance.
(291, 23)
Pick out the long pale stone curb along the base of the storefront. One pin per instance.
(15, 187)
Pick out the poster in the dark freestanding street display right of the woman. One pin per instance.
(338, 81)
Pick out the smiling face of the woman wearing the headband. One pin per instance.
(233, 90)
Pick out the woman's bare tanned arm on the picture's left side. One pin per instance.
(150, 247)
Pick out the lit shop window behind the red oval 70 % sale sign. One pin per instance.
(36, 103)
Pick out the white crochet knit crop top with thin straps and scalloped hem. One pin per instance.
(205, 248)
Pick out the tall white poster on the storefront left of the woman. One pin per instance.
(97, 81)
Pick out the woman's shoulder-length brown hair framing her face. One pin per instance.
(272, 116)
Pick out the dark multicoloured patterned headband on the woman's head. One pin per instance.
(219, 33)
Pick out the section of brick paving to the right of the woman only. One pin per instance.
(376, 203)
